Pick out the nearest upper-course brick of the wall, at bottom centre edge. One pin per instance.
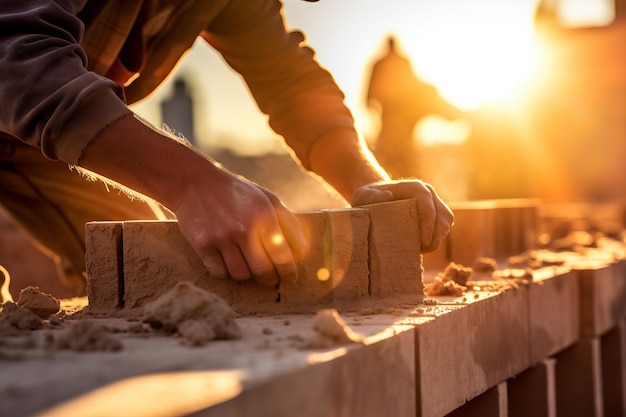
(374, 380)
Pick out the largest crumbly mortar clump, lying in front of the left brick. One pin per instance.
(197, 315)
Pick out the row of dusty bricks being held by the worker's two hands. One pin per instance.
(357, 255)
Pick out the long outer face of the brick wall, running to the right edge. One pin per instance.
(552, 347)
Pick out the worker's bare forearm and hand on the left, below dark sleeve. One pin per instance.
(237, 228)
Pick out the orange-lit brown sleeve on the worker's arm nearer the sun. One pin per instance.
(301, 98)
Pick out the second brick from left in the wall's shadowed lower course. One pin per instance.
(532, 393)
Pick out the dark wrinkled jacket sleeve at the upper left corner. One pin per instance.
(49, 99)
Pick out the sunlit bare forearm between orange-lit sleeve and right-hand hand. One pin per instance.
(344, 162)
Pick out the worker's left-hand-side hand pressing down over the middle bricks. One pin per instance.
(241, 231)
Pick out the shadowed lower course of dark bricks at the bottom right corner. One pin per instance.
(586, 379)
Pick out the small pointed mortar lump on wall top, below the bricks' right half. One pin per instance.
(331, 330)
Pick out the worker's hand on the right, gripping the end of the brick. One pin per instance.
(436, 218)
